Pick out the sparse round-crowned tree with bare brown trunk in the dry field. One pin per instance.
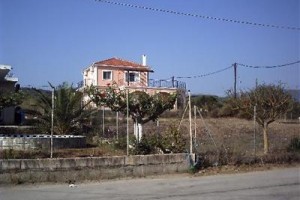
(271, 102)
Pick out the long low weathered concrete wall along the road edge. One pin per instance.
(92, 168)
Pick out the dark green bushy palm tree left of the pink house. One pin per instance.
(69, 112)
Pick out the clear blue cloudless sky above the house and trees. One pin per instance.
(54, 40)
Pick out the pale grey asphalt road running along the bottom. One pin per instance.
(266, 185)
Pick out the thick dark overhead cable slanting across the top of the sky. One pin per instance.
(199, 16)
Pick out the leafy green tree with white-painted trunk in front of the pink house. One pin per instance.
(142, 107)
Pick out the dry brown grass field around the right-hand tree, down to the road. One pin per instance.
(222, 141)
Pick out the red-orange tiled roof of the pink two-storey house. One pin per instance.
(123, 64)
